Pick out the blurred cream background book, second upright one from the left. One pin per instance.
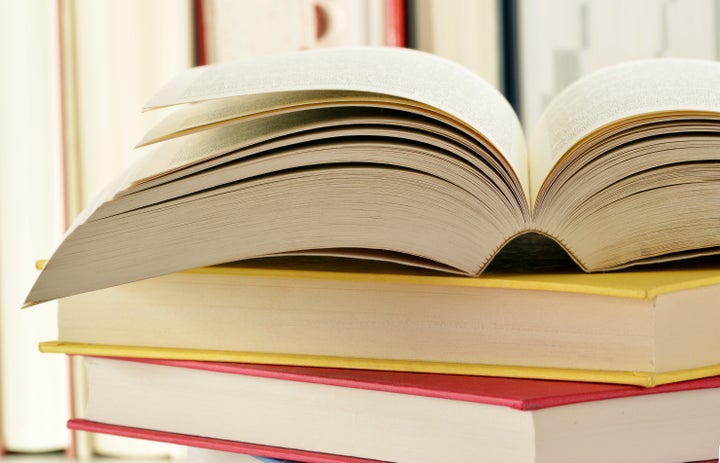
(106, 75)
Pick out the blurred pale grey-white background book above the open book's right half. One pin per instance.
(562, 40)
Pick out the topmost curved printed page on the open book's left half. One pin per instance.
(398, 72)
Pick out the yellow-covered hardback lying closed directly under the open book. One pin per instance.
(633, 327)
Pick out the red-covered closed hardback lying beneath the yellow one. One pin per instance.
(407, 417)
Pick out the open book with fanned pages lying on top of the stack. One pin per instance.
(388, 153)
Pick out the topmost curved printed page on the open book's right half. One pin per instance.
(615, 94)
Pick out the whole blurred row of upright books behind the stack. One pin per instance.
(75, 74)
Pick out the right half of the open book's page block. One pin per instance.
(625, 164)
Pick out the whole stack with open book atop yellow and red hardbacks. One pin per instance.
(349, 255)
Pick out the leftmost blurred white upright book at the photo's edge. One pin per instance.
(34, 402)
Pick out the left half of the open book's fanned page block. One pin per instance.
(337, 152)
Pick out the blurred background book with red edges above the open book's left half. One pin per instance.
(228, 30)
